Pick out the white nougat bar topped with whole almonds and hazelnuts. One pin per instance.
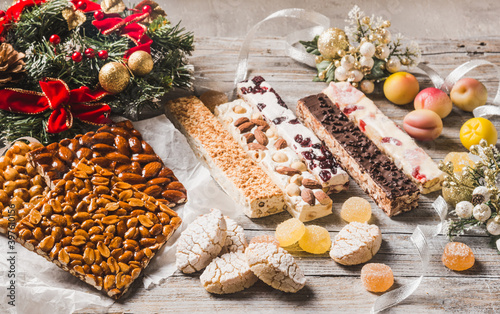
(272, 156)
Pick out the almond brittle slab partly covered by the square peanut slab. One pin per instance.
(119, 149)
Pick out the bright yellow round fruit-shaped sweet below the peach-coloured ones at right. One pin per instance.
(476, 129)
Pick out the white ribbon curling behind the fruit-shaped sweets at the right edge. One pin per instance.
(446, 84)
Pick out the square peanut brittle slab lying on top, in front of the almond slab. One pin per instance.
(100, 229)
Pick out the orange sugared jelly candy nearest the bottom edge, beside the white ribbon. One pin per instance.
(377, 277)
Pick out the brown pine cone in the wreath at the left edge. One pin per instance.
(11, 64)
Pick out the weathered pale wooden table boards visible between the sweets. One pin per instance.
(330, 286)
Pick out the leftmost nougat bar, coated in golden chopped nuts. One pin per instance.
(230, 166)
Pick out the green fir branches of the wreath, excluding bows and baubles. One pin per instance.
(30, 35)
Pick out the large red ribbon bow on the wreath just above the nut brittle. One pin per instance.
(64, 103)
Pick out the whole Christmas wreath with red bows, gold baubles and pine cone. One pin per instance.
(65, 65)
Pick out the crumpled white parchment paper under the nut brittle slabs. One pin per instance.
(42, 287)
